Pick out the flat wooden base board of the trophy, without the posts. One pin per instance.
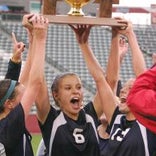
(95, 21)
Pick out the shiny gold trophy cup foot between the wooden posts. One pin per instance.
(76, 7)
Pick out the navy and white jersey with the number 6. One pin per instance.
(64, 136)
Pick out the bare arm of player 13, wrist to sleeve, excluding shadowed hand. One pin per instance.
(103, 89)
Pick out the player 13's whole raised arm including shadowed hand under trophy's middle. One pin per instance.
(104, 91)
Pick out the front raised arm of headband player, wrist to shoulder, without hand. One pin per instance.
(35, 77)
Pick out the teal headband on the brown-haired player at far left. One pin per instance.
(9, 92)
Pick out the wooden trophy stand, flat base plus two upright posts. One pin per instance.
(104, 19)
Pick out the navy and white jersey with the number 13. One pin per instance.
(129, 138)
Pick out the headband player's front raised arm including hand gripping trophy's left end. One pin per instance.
(35, 75)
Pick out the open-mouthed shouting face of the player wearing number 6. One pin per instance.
(70, 95)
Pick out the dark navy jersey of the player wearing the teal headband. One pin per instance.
(13, 134)
